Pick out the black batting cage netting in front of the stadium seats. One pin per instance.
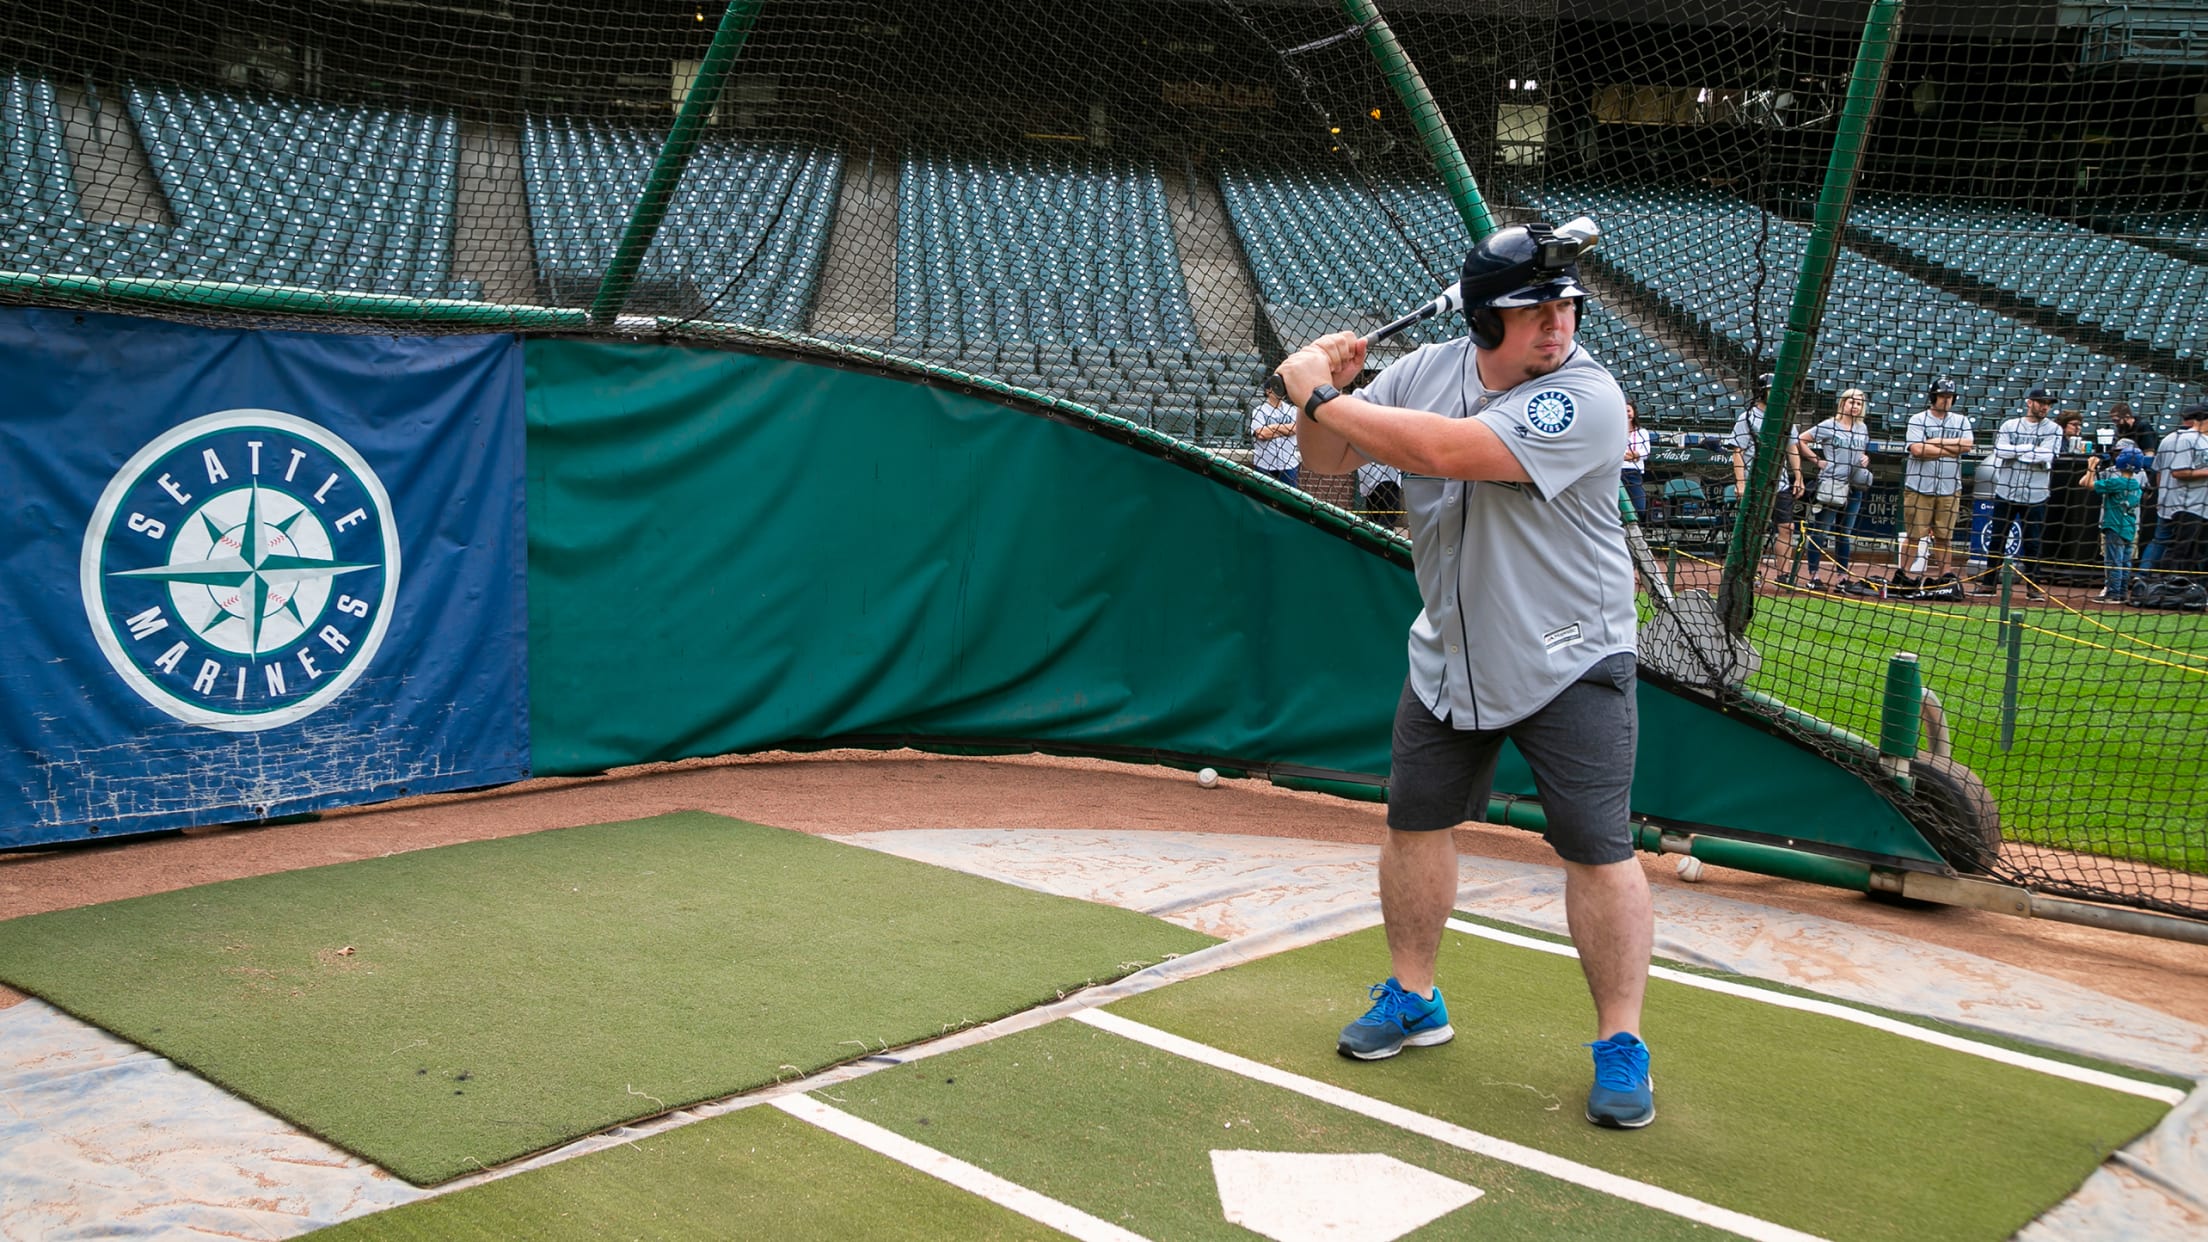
(1986, 227)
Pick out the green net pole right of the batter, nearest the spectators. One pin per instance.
(1873, 59)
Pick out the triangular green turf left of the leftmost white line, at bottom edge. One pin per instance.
(750, 1175)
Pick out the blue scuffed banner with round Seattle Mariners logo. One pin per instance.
(253, 573)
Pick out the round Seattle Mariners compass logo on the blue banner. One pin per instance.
(240, 571)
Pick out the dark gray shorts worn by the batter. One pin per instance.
(1580, 750)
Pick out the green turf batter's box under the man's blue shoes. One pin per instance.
(1801, 1119)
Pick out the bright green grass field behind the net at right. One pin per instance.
(2108, 748)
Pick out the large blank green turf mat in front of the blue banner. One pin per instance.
(454, 1009)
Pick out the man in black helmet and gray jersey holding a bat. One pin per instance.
(1507, 443)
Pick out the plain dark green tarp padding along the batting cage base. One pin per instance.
(732, 551)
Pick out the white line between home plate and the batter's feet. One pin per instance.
(1452, 1135)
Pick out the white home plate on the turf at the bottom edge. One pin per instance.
(1299, 1197)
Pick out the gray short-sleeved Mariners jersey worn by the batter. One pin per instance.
(1525, 587)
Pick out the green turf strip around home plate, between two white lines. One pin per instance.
(1125, 1133)
